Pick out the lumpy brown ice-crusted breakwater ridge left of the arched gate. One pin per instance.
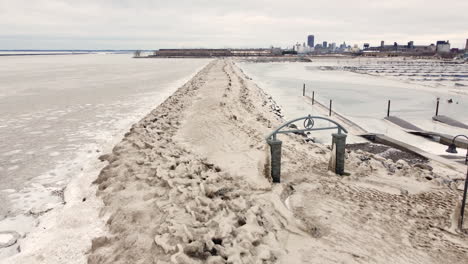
(168, 201)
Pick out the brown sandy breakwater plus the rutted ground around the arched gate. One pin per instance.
(186, 185)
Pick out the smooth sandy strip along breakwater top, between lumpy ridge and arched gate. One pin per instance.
(222, 126)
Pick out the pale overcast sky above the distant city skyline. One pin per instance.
(154, 24)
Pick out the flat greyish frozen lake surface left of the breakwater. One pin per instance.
(59, 113)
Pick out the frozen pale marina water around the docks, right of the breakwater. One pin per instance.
(363, 98)
